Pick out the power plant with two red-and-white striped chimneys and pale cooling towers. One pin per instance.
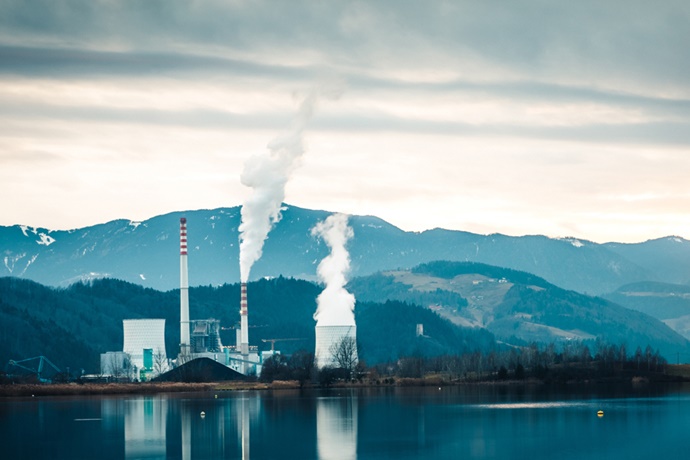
(144, 339)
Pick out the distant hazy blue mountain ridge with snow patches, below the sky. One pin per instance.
(146, 253)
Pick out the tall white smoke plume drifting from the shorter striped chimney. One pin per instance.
(267, 174)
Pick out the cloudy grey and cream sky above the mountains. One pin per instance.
(566, 119)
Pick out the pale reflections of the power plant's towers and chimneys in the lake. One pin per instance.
(146, 420)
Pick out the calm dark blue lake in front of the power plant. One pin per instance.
(464, 422)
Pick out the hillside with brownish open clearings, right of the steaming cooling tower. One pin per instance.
(517, 307)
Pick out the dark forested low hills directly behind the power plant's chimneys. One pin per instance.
(73, 325)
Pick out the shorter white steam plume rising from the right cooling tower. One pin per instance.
(335, 305)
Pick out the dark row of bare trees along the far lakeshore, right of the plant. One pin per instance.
(572, 362)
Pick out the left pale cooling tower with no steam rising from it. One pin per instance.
(141, 334)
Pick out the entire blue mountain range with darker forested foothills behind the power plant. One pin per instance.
(516, 290)
